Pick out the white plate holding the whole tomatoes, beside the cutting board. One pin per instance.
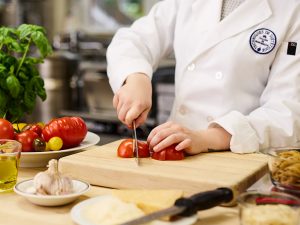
(41, 159)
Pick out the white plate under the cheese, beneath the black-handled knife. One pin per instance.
(78, 218)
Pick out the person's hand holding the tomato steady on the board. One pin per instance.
(192, 142)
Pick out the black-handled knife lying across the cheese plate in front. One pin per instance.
(185, 207)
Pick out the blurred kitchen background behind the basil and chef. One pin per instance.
(75, 75)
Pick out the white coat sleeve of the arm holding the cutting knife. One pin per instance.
(140, 47)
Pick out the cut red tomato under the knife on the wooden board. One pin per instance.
(125, 150)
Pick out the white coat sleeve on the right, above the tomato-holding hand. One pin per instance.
(276, 123)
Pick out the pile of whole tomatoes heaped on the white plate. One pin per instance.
(34, 137)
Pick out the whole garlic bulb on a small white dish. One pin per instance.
(51, 182)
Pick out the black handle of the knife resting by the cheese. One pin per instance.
(204, 200)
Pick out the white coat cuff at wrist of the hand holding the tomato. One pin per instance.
(244, 138)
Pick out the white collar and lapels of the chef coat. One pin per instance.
(249, 14)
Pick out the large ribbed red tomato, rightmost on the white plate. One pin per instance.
(72, 130)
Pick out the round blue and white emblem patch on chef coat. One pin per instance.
(263, 41)
